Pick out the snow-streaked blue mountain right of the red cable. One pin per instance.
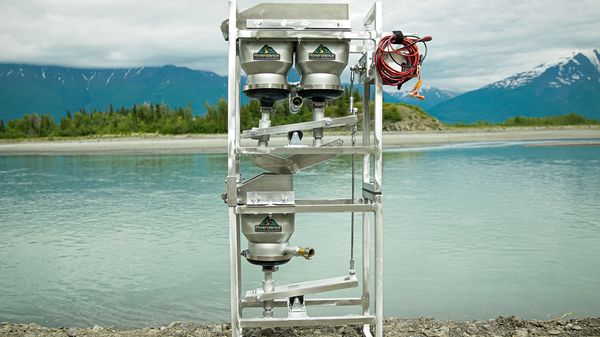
(569, 84)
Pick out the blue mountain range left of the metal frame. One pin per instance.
(56, 90)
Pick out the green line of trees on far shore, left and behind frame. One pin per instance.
(155, 118)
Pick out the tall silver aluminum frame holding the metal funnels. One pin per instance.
(369, 205)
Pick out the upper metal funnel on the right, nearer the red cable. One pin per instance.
(320, 63)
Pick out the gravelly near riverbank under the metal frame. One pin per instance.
(393, 327)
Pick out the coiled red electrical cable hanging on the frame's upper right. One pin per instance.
(403, 61)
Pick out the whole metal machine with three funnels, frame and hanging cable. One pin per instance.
(265, 41)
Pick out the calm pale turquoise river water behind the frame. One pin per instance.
(471, 232)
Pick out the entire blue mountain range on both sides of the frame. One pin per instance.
(571, 84)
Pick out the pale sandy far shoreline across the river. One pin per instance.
(189, 144)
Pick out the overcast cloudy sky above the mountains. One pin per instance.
(475, 42)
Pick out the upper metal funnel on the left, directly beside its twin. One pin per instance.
(267, 64)
